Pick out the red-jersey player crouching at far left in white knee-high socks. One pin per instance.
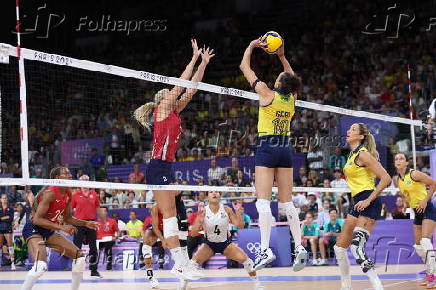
(52, 212)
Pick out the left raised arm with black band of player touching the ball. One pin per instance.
(265, 93)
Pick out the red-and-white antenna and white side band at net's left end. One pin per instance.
(23, 100)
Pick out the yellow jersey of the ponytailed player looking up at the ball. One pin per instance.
(359, 178)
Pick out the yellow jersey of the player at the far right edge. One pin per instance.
(413, 191)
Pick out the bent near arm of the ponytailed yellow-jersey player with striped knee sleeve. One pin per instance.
(366, 159)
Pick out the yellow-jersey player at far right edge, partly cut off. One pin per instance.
(412, 187)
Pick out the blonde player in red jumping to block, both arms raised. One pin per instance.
(166, 109)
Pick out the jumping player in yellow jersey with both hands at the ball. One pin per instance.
(274, 153)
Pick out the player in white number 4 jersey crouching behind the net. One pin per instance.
(215, 220)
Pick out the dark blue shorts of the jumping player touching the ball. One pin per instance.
(274, 151)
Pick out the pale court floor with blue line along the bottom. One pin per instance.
(403, 276)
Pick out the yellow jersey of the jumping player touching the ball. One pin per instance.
(275, 118)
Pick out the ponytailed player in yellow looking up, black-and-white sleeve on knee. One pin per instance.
(361, 169)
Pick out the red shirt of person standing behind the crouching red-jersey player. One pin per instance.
(86, 206)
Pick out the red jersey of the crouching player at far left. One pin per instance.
(57, 207)
